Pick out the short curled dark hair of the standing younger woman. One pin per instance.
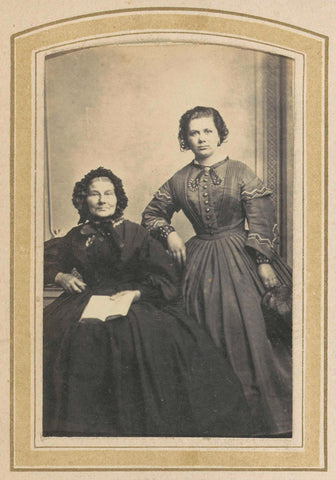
(200, 112)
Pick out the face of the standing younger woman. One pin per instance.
(203, 137)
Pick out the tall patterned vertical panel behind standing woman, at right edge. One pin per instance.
(275, 139)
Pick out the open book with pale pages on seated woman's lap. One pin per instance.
(105, 308)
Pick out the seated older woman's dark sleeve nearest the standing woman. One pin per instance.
(160, 280)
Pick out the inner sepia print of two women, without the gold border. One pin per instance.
(205, 346)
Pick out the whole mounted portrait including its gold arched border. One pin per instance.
(170, 173)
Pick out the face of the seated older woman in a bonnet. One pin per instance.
(101, 198)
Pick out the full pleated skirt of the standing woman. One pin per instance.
(223, 292)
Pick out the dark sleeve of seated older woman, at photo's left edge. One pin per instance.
(56, 257)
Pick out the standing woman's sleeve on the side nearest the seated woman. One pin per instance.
(157, 215)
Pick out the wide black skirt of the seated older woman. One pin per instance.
(152, 373)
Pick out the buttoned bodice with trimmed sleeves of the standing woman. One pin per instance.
(215, 198)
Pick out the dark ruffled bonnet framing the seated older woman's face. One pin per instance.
(80, 193)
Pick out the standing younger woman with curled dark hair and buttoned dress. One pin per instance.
(227, 268)
